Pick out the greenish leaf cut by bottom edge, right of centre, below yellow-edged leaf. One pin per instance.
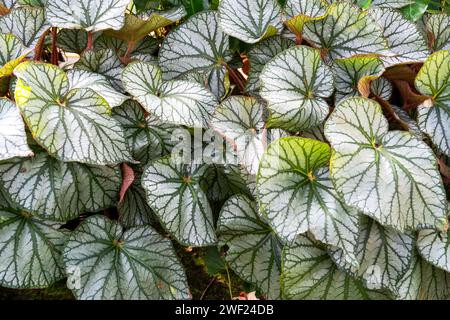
(309, 273)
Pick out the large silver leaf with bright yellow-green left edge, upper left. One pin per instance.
(68, 123)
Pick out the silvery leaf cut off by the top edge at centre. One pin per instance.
(250, 20)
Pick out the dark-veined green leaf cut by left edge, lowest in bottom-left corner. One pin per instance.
(30, 248)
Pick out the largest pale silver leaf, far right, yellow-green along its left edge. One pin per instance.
(389, 175)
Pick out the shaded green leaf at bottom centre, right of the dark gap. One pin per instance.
(254, 251)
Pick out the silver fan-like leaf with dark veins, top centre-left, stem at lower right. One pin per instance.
(198, 44)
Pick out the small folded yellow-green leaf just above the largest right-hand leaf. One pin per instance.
(350, 73)
